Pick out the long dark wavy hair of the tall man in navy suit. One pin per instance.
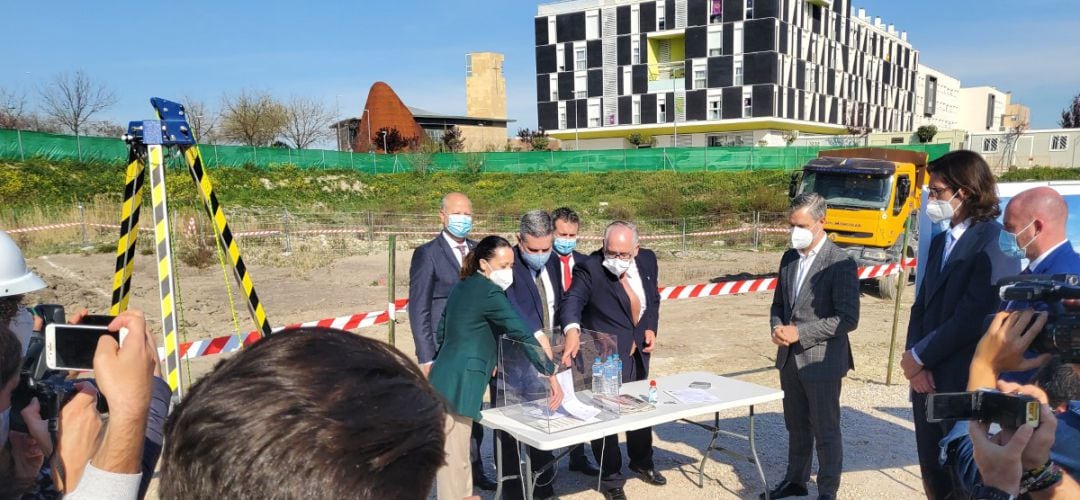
(967, 171)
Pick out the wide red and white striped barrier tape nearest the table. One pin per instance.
(231, 344)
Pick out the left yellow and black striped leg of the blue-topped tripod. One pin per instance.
(129, 231)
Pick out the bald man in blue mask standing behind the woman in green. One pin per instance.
(433, 274)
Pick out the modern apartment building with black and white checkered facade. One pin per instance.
(711, 73)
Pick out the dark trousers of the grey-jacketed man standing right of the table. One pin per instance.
(813, 418)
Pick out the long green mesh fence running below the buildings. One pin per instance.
(21, 145)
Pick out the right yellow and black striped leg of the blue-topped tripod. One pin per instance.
(213, 208)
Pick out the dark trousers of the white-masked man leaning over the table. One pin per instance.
(639, 443)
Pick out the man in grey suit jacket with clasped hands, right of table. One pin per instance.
(815, 308)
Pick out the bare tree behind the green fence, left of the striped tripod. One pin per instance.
(72, 100)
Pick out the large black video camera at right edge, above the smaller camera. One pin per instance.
(1062, 333)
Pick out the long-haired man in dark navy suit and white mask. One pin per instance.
(957, 293)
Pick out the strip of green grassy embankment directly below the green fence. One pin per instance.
(44, 184)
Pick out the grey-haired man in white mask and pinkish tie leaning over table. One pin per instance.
(615, 292)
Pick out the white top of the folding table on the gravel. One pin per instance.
(733, 395)
